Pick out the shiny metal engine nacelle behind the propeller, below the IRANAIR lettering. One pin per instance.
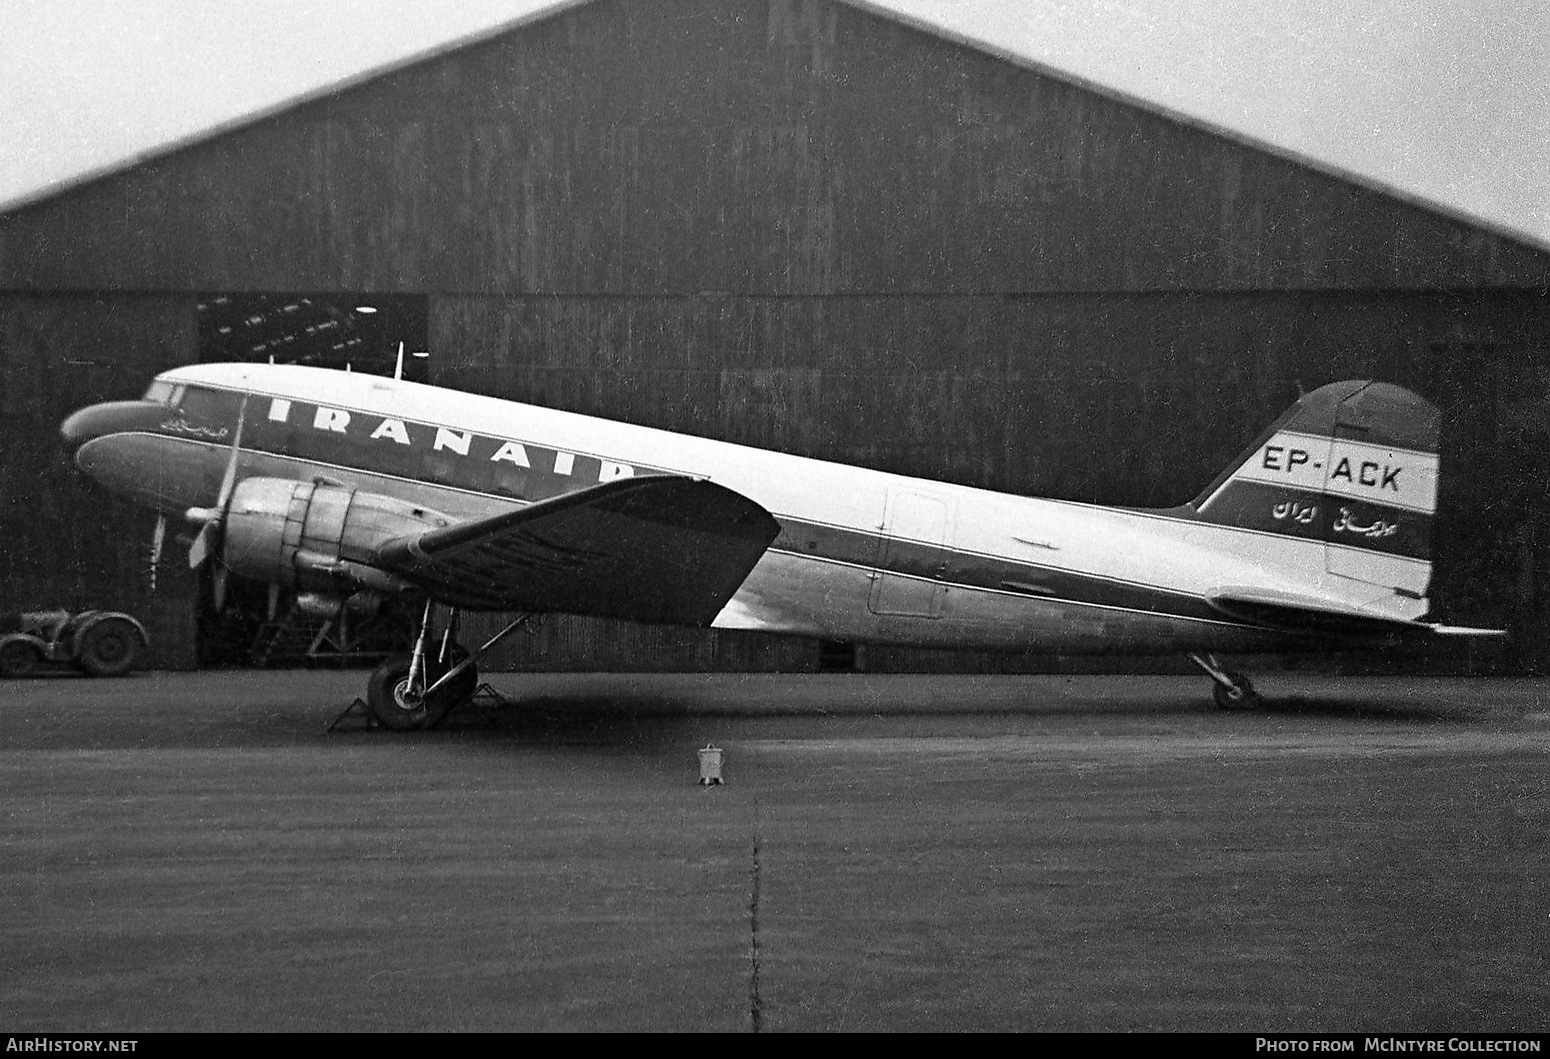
(317, 537)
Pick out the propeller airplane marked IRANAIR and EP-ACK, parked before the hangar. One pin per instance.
(351, 489)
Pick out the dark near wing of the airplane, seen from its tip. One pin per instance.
(649, 550)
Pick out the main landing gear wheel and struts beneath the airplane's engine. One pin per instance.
(415, 692)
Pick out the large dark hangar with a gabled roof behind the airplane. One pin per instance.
(796, 224)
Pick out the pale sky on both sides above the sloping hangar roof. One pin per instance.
(1442, 100)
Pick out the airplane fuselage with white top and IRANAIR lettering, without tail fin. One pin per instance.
(861, 556)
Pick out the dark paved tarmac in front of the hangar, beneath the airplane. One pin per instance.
(199, 852)
